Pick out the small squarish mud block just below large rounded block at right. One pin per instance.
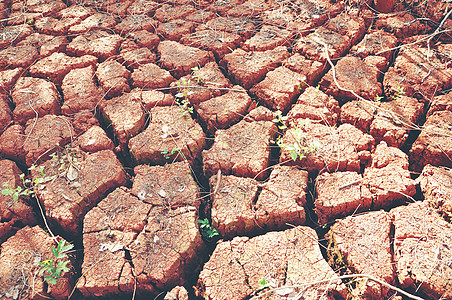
(359, 113)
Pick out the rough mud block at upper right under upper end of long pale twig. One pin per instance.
(313, 45)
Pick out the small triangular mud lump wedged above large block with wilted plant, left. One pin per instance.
(94, 139)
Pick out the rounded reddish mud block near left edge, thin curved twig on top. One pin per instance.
(34, 97)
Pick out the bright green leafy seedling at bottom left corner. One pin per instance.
(56, 266)
